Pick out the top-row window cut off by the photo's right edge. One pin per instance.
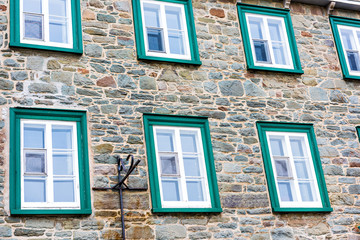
(346, 35)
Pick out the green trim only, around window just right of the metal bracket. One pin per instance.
(180, 121)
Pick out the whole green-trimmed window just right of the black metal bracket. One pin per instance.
(181, 165)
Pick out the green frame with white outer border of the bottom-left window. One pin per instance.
(78, 118)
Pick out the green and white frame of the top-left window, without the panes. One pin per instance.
(74, 31)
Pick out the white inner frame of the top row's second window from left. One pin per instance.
(163, 26)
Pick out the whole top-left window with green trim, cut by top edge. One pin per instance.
(46, 24)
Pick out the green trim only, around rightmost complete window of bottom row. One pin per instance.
(264, 127)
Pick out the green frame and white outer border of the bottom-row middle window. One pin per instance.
(168, 123)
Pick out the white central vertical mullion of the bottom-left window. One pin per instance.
(49, 165)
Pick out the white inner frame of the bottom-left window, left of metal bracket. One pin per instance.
(49, 180)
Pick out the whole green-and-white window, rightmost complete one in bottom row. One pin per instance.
(288, 134)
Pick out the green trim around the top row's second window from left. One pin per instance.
(140, 39)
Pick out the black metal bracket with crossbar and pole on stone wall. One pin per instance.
(120, 186)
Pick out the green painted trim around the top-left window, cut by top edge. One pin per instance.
(76, 29)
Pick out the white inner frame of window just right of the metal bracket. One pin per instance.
(183, 203)
